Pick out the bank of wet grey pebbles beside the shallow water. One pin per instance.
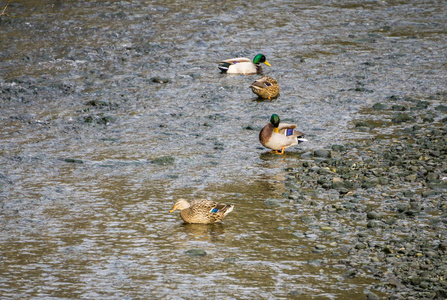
(382, 199)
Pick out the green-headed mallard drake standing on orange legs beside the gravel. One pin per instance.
(279, 136)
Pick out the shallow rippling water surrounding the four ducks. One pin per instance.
(95, 151)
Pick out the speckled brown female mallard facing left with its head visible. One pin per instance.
(202, 211)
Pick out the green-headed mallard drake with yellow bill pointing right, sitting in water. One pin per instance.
(243, 65)
